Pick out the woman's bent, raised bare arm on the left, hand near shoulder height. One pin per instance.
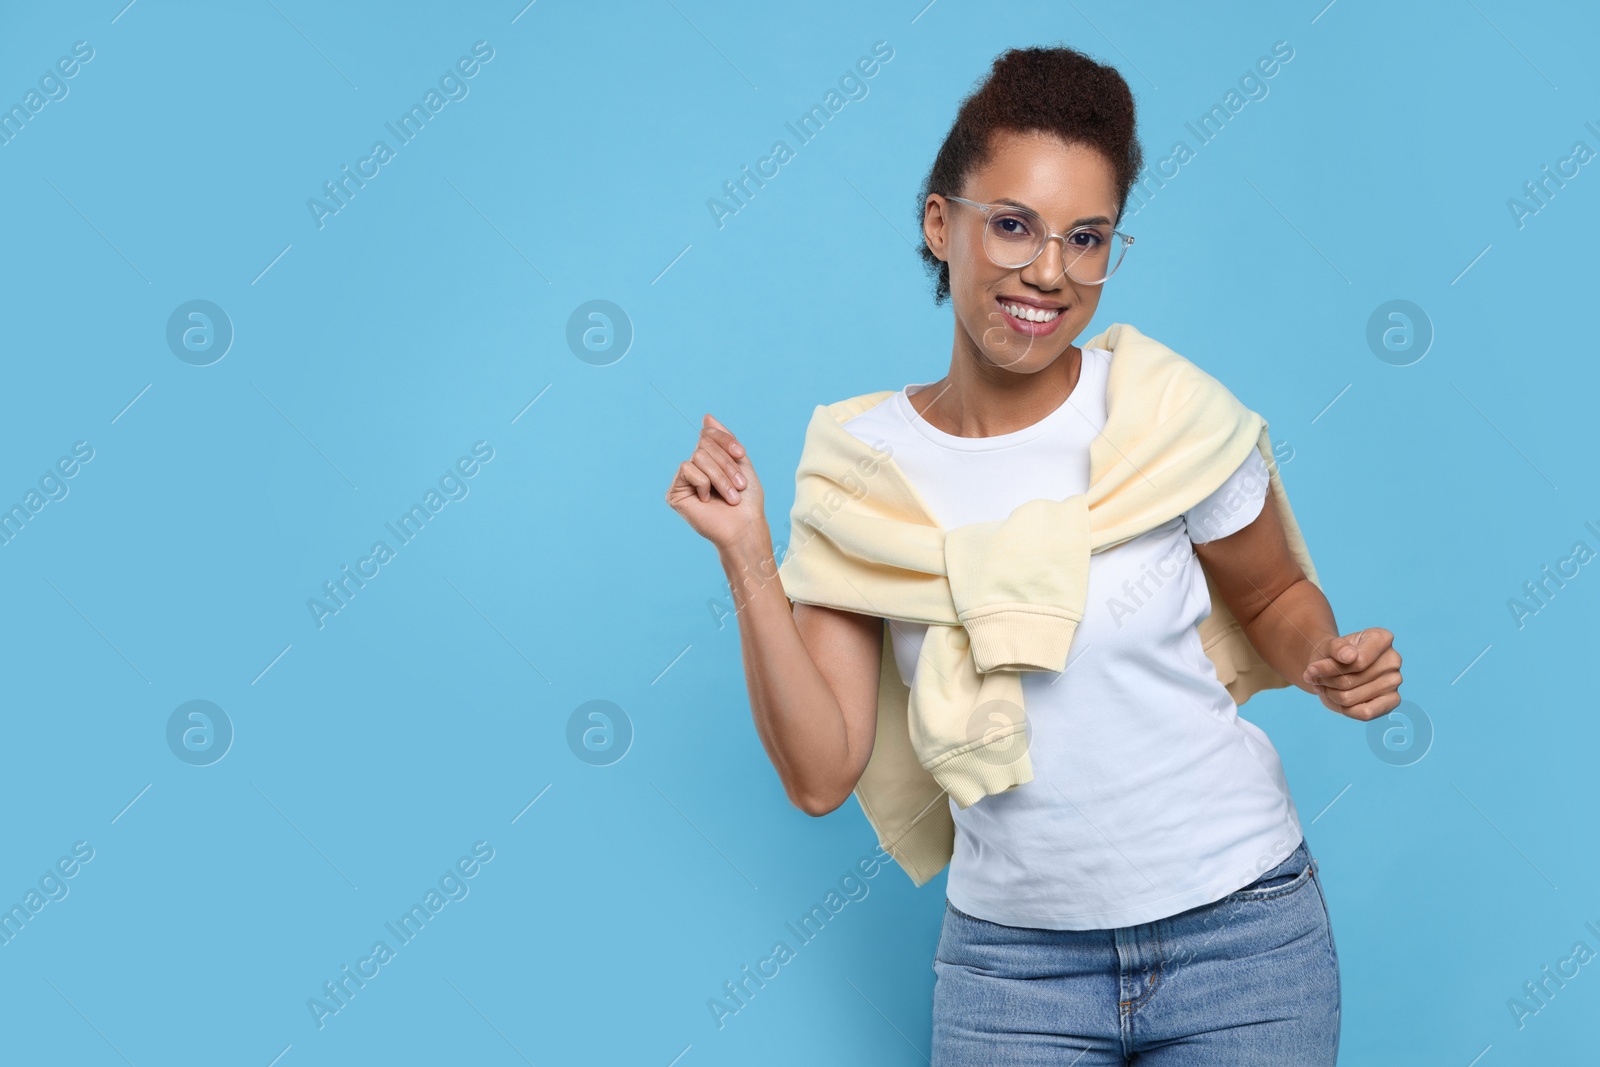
(812, 673)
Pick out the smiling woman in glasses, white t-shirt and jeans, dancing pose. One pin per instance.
(1140, 890)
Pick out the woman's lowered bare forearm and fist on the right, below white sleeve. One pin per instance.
(1290, 623)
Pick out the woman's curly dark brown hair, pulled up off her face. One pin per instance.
(1049, 90)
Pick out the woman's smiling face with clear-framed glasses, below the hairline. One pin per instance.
(1023, 319)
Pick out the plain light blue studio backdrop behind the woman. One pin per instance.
(433, 310)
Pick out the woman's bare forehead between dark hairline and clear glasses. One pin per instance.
(1055, 178)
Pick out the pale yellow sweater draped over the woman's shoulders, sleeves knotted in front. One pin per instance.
(1004, 597)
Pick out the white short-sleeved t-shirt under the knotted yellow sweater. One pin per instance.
(1151, 796)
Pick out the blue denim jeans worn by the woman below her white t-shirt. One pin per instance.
(1249, 980)
